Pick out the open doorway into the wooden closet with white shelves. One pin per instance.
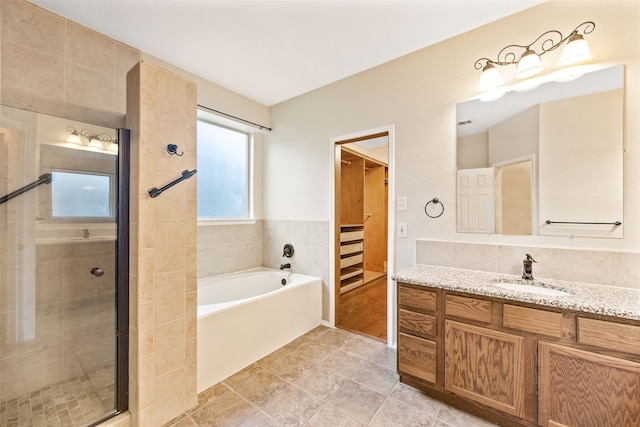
(361, 238)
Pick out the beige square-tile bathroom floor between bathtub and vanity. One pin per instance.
(326, 378)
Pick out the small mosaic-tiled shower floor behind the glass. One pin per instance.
(73, 403)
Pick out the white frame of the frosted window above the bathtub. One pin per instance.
(215, 120)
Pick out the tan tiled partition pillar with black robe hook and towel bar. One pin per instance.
(161, 106)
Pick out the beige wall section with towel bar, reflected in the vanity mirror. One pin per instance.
(581, 149)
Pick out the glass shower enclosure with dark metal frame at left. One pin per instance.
(63, 270)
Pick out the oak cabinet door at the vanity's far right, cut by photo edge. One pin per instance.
(579, 388)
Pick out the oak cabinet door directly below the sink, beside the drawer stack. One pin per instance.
(485, 366)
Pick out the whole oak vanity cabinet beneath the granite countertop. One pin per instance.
(519, 364)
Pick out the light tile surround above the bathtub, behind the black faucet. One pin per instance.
(229, 248)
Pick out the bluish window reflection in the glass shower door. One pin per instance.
(81, 195)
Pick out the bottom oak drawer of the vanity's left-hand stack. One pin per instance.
(417, 357)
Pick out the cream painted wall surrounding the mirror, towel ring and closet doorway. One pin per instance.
(418, 94)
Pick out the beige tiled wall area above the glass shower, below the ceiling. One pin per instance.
(54, 66)
